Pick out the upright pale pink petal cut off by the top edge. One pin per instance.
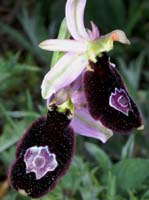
(75, 19)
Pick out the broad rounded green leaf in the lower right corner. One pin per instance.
(130, 173)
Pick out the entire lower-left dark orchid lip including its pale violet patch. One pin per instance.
(43, 155)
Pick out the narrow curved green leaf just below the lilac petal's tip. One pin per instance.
(99, 155)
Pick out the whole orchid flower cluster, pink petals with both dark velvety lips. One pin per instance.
(85, 94)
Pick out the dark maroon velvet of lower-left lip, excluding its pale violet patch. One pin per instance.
(54, 132)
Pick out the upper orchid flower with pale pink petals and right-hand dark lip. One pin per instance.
(104, 102)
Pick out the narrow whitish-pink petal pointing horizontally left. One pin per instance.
(63, 45)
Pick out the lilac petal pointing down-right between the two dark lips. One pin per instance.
(84, 124)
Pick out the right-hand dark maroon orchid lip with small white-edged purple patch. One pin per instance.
(108, 99)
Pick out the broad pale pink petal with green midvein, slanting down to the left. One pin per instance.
(67, 69)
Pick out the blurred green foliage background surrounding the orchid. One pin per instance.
(117, 170)
